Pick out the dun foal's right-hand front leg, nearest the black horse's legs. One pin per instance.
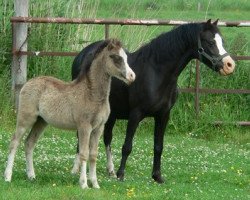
(93, 152)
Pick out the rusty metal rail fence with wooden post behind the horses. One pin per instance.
(20, 52)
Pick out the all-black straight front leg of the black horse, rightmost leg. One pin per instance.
(161, 121)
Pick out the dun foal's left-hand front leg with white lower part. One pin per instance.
(84, 132)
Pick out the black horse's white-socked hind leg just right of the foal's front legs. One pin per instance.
(107, 141)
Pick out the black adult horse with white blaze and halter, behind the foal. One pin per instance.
(157, 66)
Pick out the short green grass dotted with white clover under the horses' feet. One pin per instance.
(193, 168)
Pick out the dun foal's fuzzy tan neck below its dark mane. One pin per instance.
(98, 81)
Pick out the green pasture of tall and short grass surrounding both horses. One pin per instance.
(200, 161)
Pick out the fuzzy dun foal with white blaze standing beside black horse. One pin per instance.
(81, 105)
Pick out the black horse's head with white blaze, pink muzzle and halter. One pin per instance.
(211, 51)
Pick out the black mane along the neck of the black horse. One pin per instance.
(170, 44)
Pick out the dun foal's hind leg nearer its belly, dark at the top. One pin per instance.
(30, 143)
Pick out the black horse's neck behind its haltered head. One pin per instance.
(177, 47)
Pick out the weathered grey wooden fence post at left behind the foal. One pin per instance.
(19, 62)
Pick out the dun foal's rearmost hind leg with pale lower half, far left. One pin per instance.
(23, 125)
